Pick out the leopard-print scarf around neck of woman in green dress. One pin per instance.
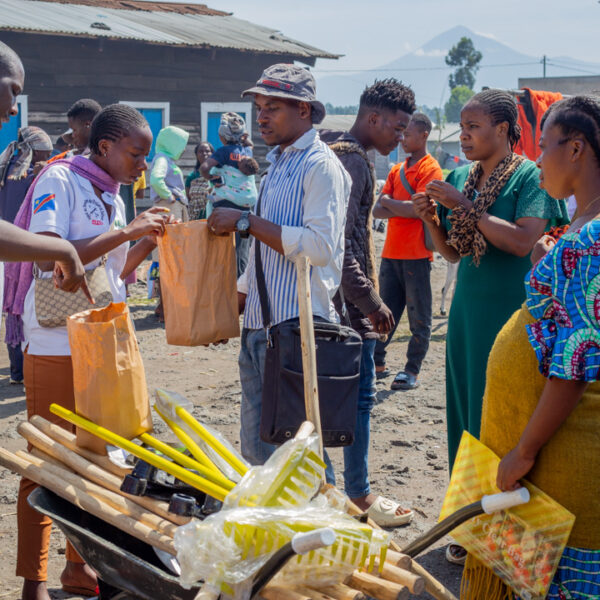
(465, 236)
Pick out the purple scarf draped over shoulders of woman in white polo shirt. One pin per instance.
(18, 276)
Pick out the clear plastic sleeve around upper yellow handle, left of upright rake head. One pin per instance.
(167, 402)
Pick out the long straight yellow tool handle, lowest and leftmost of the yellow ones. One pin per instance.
(200, 483)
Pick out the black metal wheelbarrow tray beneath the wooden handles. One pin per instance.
(122, 562)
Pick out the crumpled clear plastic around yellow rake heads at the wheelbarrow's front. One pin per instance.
(228, 548)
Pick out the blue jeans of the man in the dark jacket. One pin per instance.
(356, 456)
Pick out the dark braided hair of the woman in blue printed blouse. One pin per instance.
(577, 115)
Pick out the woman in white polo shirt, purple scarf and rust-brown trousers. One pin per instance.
(77, 199)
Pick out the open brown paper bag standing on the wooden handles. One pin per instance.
(108, 374)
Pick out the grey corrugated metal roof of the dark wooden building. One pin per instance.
(153, 27)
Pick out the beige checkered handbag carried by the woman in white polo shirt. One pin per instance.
(53, 305)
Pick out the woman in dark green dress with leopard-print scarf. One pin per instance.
(491, 214)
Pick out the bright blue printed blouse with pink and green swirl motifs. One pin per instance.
(563, 295)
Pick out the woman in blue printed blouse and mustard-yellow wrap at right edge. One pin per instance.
(541, 409)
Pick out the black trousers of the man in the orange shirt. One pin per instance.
(406, 284)
